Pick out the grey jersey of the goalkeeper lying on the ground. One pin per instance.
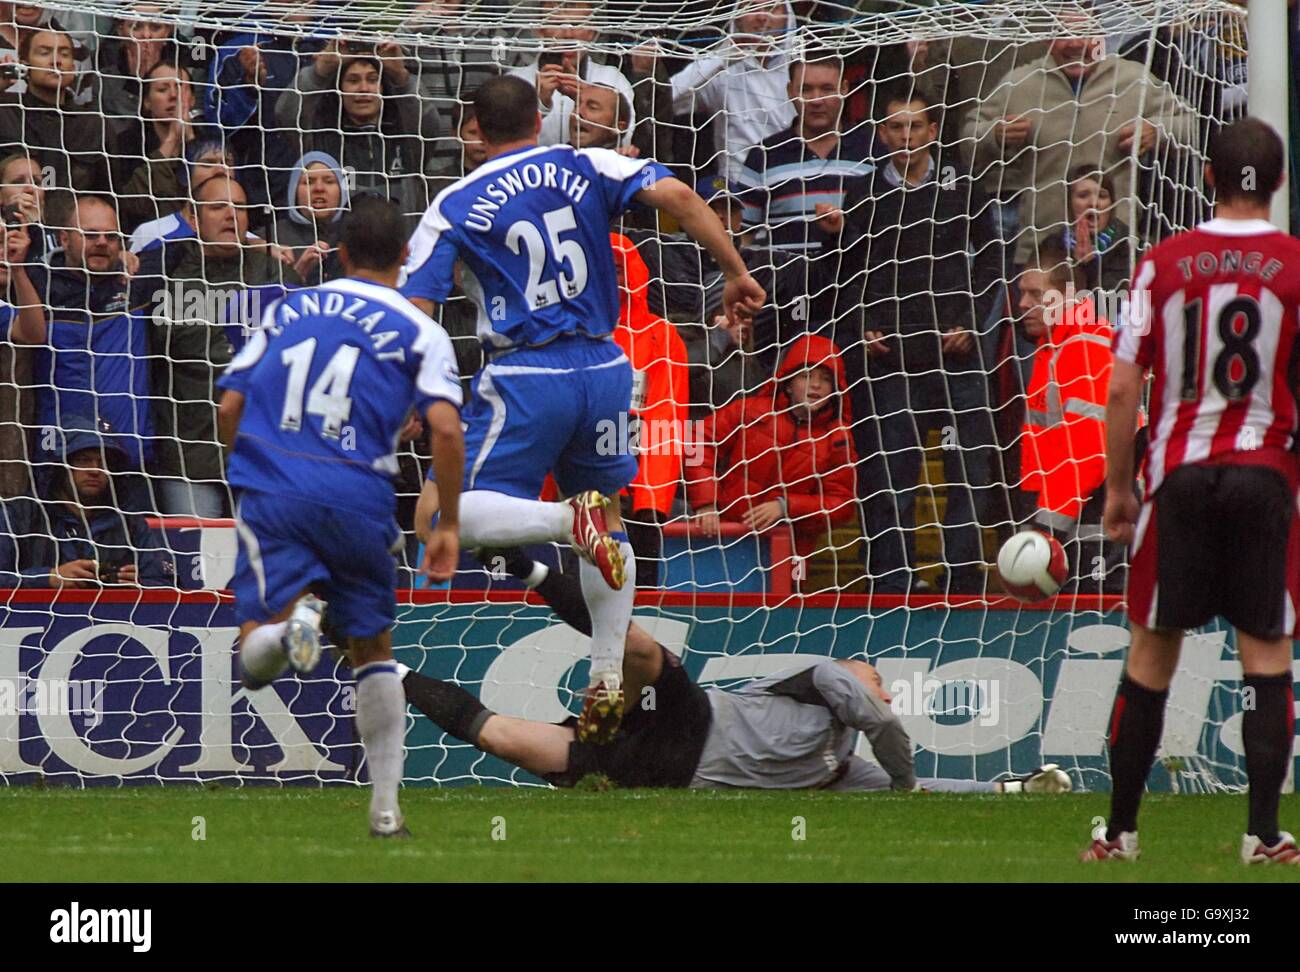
(796, 730)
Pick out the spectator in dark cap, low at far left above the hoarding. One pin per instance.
(73, 533)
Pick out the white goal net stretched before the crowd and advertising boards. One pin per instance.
(935, 198)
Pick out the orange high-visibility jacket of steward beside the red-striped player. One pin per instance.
(1064, 452)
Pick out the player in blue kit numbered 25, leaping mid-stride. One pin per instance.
(531, 228)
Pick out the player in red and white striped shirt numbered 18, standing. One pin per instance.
(1214, 319)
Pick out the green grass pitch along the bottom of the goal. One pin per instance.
(301, 835)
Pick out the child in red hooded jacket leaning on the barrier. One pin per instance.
(785, 454)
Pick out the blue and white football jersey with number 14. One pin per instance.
(328, 383)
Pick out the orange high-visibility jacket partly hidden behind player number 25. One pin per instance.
(661, 387)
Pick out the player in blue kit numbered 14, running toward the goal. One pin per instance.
(314, 406)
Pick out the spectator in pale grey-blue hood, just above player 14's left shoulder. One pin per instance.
(313, 222)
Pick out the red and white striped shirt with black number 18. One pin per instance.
(1215, 316)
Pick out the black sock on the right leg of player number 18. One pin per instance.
(1268, 730)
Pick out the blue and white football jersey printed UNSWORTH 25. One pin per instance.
(532, 232)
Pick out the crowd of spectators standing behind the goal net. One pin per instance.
(159, 185)
